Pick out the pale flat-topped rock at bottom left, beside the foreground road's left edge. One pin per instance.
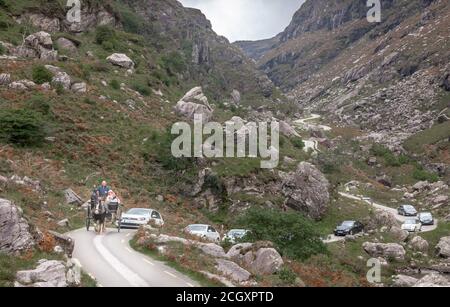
(49, 273)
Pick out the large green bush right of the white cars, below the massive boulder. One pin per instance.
(292, 233)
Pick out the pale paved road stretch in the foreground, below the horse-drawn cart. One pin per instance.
(113, 263)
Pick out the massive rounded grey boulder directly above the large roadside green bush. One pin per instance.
(306, 190)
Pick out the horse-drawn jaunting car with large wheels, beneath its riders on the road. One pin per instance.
(100, 213)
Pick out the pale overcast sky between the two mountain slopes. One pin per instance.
(247, 19)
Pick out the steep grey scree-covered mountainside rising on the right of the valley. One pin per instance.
(390, 78)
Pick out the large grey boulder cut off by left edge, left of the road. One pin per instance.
(15, 236)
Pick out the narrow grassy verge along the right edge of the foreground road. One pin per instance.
(194, 275)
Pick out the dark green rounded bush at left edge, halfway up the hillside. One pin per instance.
(21, 127)
